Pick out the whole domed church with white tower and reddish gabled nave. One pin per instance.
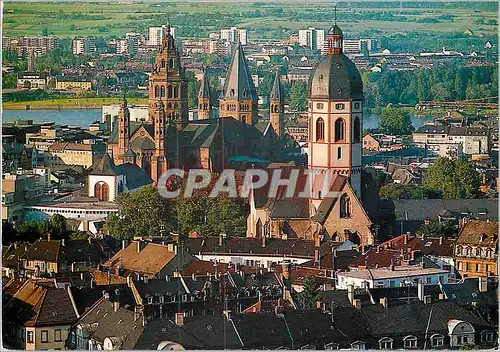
(335, 120)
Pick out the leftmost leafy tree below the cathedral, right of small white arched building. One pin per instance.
(144, 212)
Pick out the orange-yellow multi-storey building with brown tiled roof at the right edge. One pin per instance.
(476, 249)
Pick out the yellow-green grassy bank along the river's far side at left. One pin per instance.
(69, 103)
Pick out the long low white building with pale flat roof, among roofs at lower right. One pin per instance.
(395, 276)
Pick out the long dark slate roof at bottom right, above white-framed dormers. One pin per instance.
(413, 318)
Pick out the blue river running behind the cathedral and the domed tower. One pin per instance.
(83, 118)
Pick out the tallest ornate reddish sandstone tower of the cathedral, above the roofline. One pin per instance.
(167, 82)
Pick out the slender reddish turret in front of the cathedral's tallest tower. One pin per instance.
(159, 160)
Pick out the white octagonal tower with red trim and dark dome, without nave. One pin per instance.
(335, 107)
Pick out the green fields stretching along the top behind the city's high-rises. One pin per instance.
(263, 19)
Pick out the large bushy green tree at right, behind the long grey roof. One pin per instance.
(455, 178)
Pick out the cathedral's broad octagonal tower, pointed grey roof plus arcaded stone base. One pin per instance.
(239, 99)
